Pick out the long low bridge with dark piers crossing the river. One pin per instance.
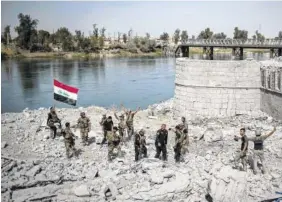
(237, 46)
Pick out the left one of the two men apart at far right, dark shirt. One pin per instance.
(244, 148)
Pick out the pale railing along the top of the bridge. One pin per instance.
(226, 42)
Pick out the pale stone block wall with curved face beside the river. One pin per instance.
(225, 88)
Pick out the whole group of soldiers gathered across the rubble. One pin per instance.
(116, 137)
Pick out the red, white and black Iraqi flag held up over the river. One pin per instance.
(65, 93)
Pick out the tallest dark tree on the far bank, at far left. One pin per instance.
(26, 30)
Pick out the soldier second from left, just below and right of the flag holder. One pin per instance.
(69, 140)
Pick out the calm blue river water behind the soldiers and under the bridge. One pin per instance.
(28, 83)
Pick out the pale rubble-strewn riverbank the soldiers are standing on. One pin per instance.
(34, 167)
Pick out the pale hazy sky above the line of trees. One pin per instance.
(153, 17)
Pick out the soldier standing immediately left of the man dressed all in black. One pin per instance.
(140, 145)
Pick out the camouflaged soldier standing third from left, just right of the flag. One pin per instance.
(85, 126)
